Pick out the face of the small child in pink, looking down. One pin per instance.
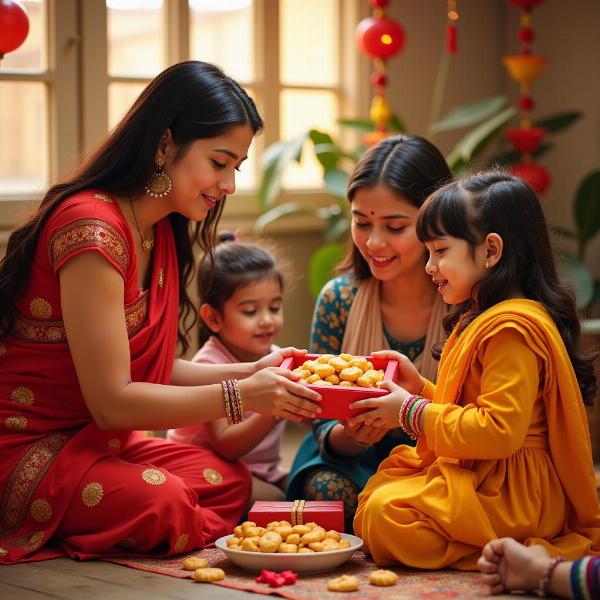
(251, 319)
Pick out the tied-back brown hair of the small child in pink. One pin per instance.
(234, 264)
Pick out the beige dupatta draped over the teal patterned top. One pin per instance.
(364, 329)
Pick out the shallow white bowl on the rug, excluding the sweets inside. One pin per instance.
(316, 562)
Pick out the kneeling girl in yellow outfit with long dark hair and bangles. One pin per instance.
(503, 444)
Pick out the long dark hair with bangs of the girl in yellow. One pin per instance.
(496, 202)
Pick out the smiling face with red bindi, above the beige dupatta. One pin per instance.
(383, 230)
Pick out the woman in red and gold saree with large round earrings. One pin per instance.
(91, 291)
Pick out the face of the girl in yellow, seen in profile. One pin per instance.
(454, 268)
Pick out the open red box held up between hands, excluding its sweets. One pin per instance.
(336, 399)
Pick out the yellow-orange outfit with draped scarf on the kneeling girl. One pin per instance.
(506, 452)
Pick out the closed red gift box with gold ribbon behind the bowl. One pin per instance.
(329, 514)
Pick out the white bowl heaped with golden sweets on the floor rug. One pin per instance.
(279, 546)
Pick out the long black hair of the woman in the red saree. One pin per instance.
(194, 100)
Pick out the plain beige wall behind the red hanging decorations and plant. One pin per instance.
(566, 32)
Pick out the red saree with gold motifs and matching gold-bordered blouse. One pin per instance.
(67, 487)
